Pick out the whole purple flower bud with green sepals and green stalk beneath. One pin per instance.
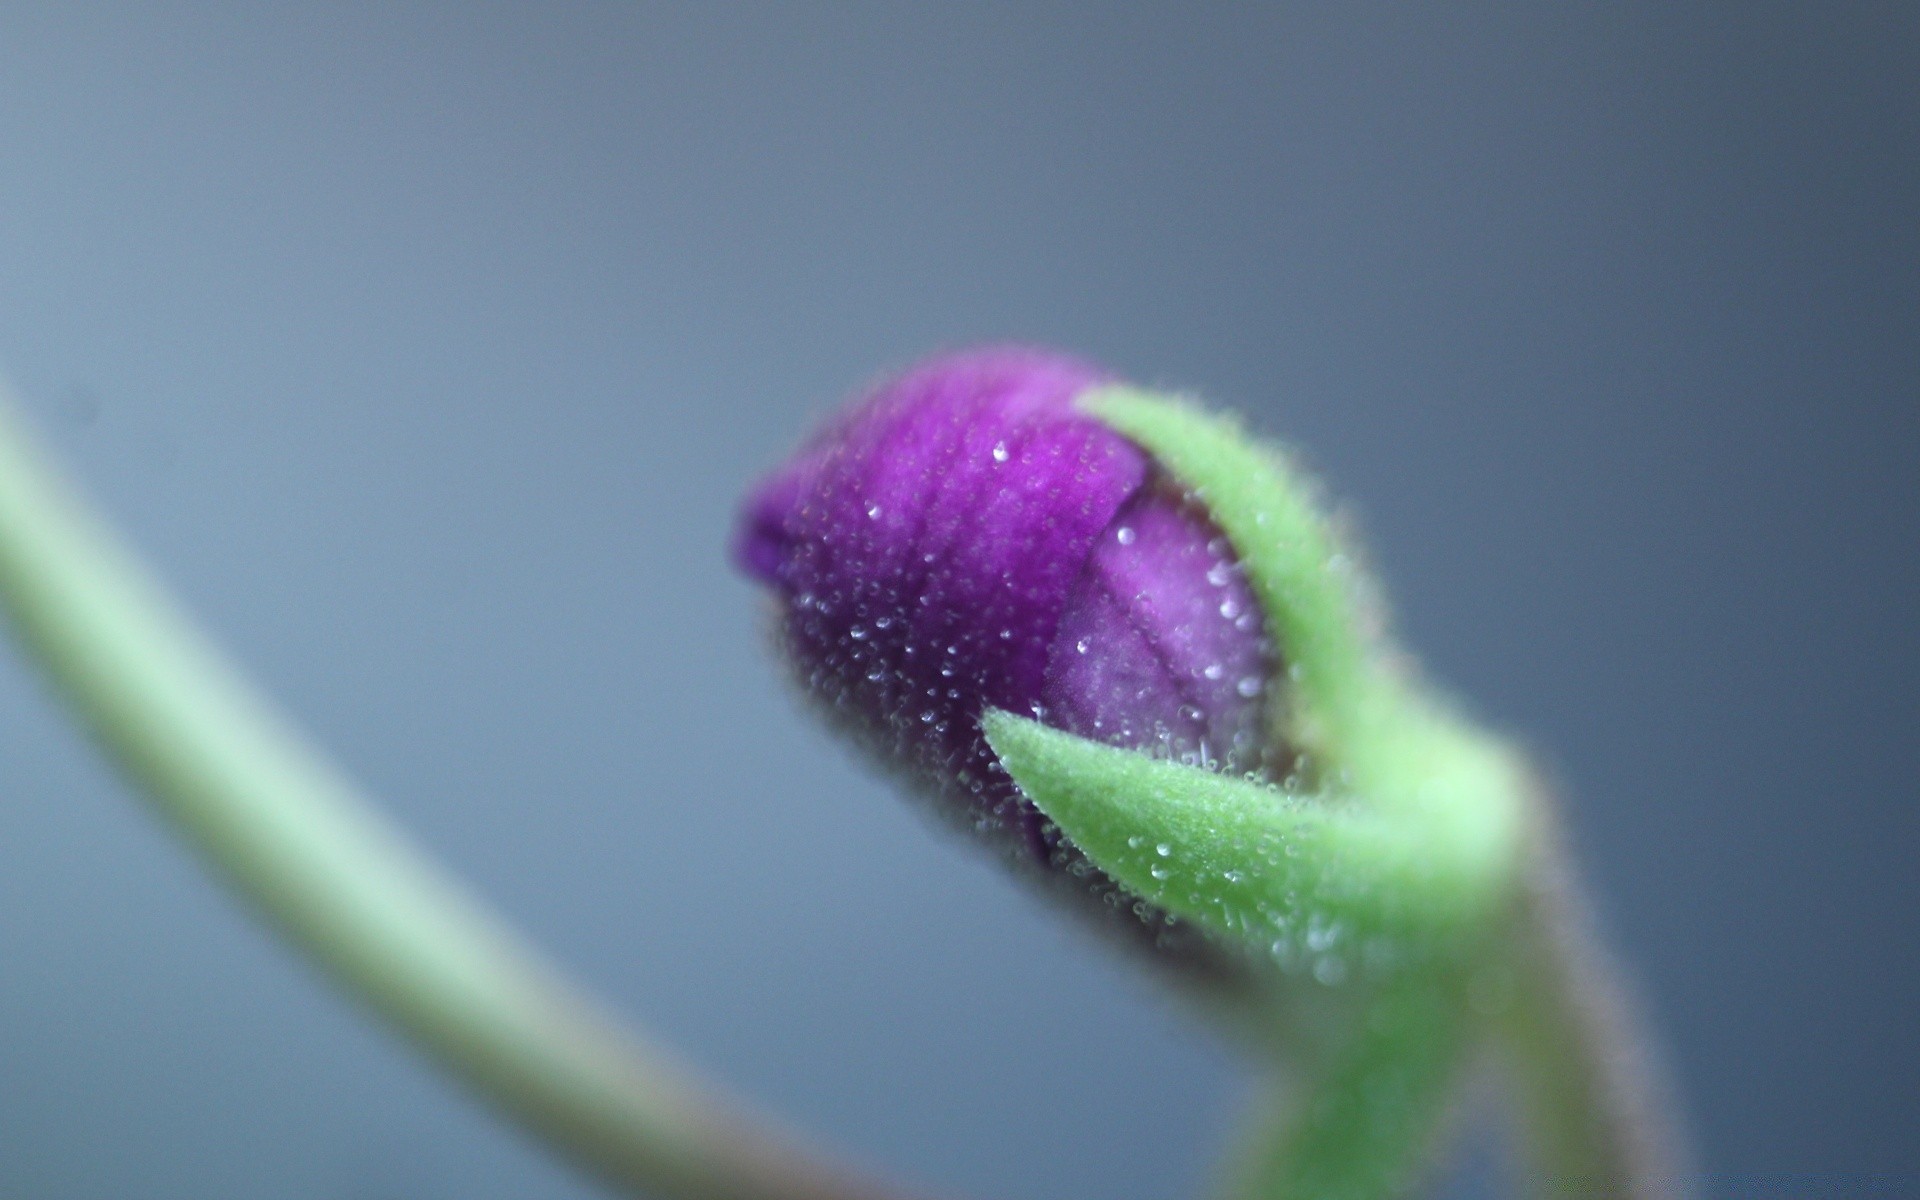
(997, 573)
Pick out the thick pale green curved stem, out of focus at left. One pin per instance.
(295, 838)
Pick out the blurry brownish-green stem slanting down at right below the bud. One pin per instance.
(1596, 1113)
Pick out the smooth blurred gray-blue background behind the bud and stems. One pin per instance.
(427, 348)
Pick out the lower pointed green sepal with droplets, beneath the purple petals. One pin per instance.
(1324, 888)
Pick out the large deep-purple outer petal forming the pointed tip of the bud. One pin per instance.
(928, 542)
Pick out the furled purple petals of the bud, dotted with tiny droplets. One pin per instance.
(965, 539)
